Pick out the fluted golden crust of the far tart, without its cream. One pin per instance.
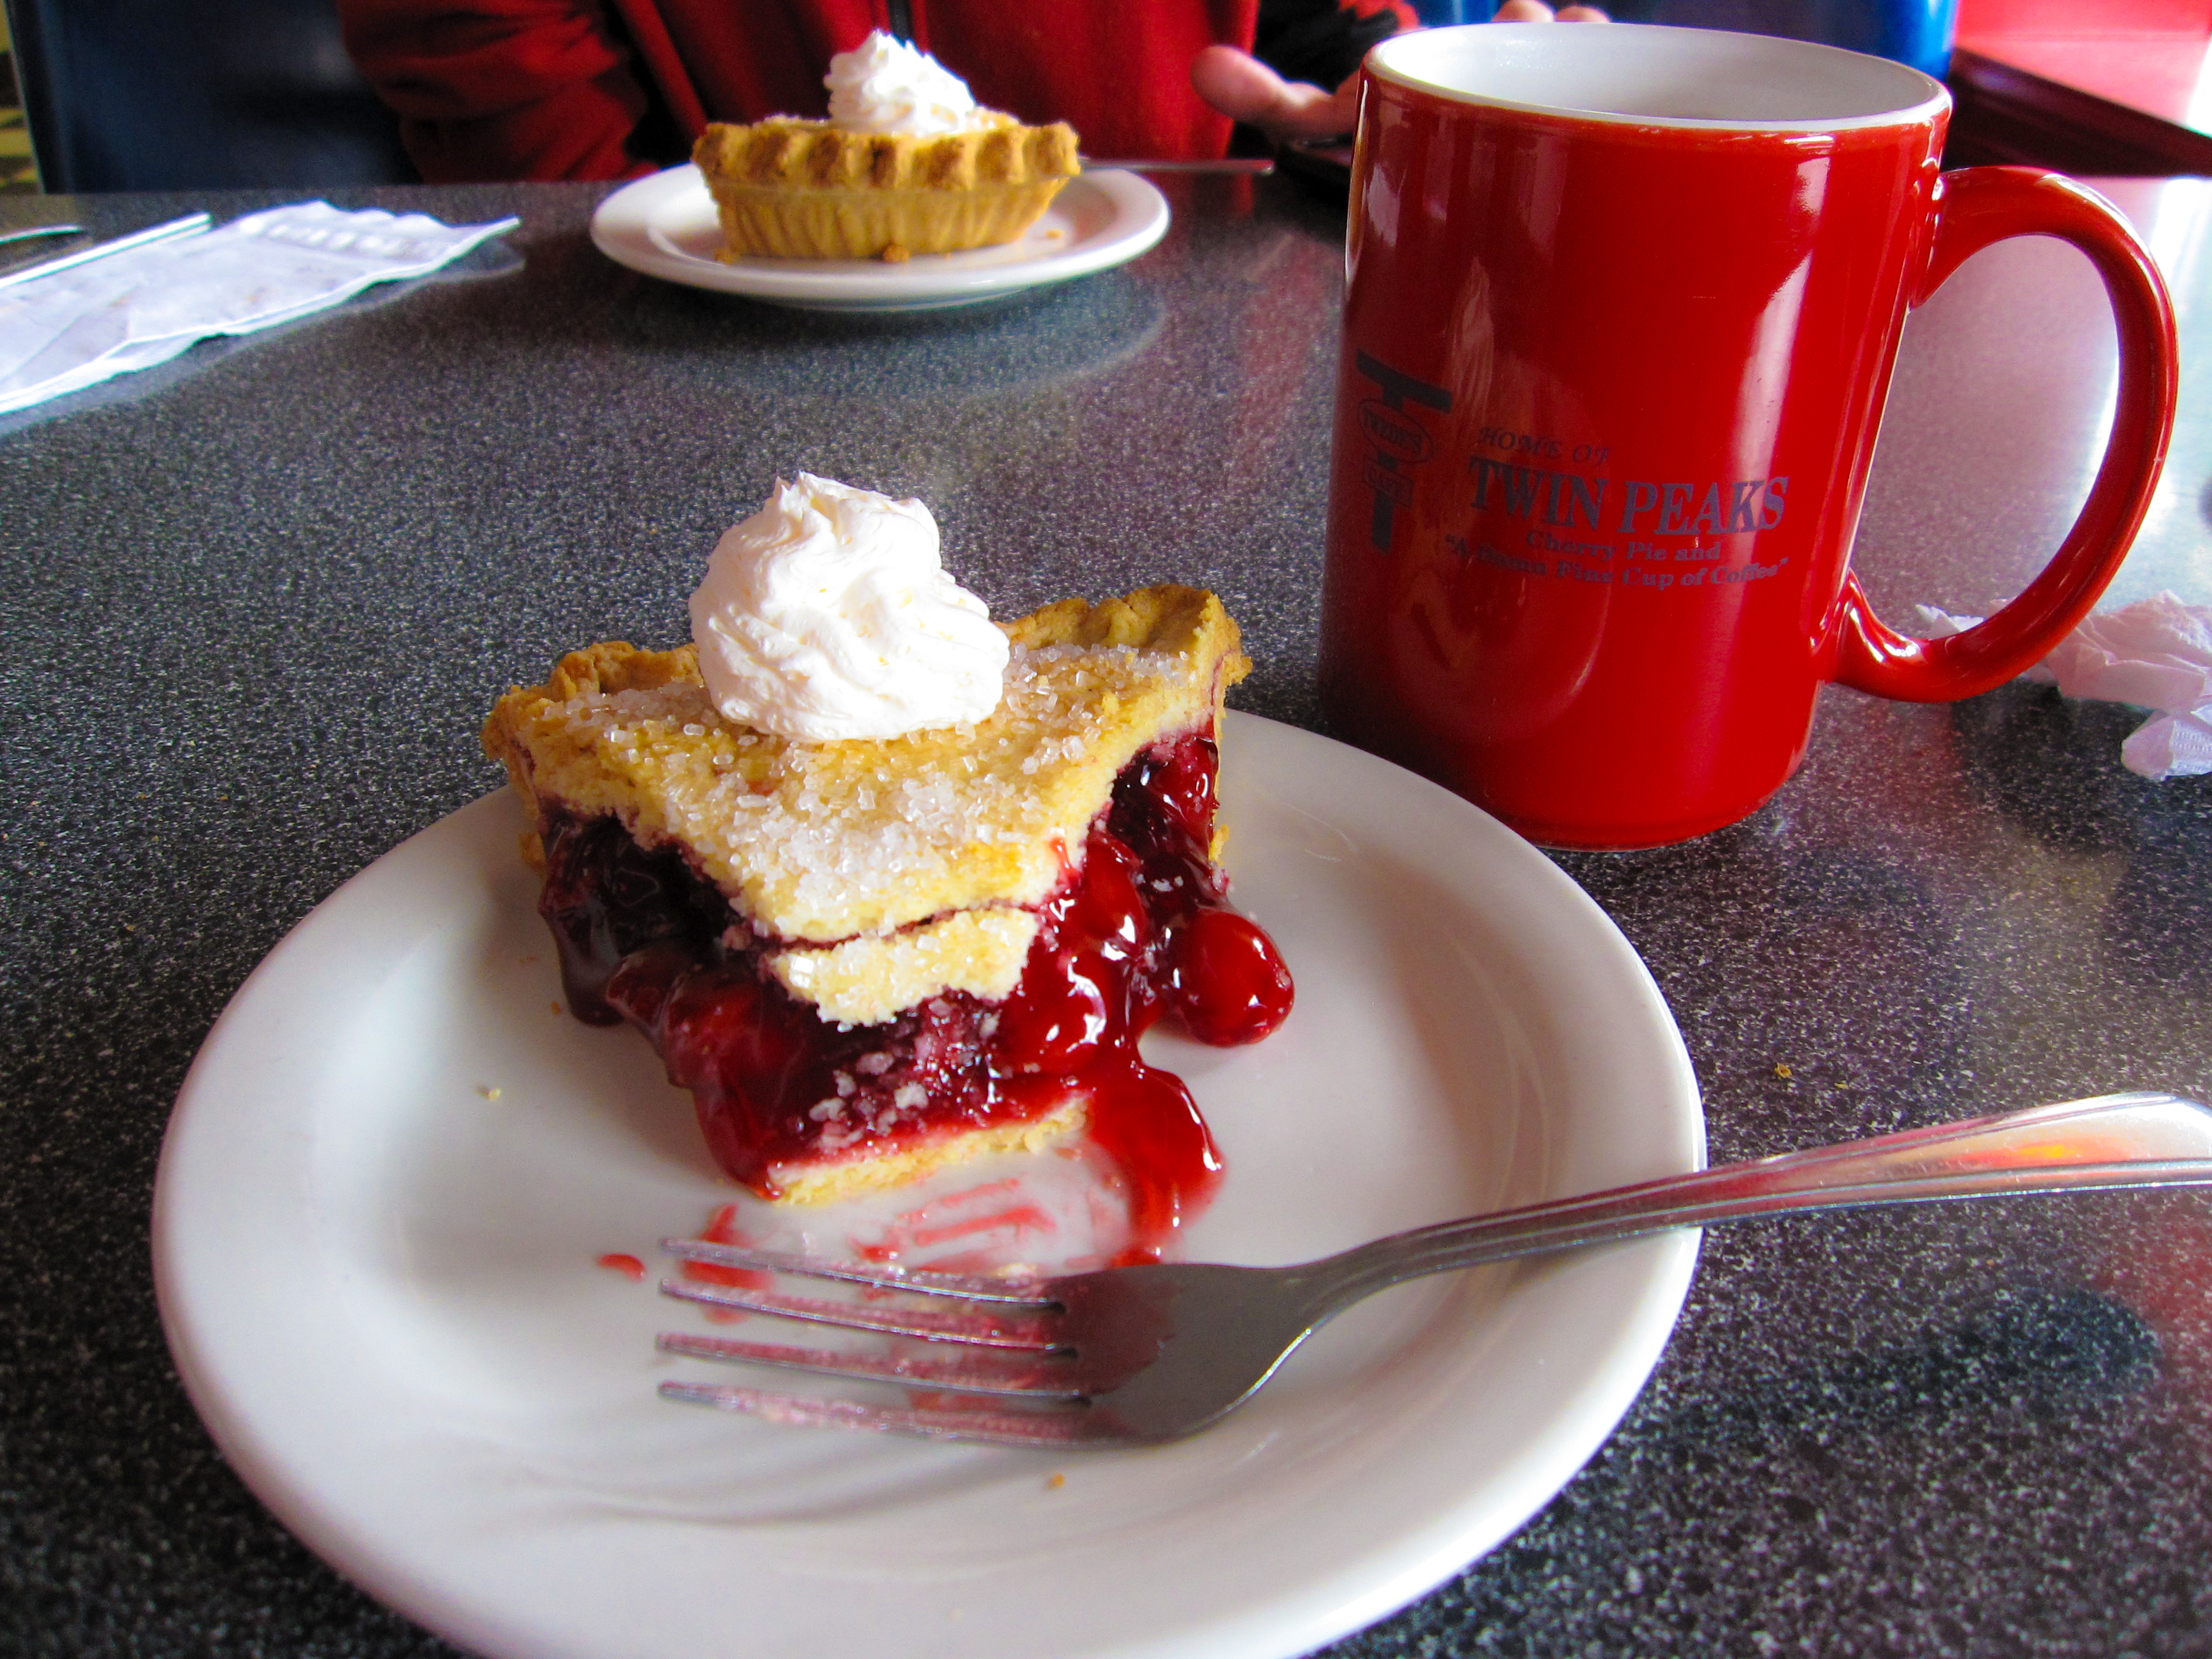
(791, 189)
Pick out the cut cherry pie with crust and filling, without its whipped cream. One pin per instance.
(870, 959)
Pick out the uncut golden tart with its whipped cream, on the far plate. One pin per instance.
(906, 165)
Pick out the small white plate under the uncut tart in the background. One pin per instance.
(667, 227)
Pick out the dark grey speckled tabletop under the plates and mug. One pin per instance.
(260, 598)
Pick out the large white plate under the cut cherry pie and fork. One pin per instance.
(382, 1295)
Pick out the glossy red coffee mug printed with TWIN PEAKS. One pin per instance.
(1620, 324)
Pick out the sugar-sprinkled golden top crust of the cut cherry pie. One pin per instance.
(879, 873)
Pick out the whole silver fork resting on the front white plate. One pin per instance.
(1154, 1353)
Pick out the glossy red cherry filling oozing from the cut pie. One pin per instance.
(1138, 926)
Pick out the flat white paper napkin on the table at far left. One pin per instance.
(149, 304)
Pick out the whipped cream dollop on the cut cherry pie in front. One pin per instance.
(831, 616)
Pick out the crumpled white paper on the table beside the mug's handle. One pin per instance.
(2156, 654)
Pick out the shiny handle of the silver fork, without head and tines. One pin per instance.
(2105, 1142)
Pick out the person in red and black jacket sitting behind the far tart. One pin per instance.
(612, 90)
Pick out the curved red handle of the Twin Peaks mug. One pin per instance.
(1976, 209)
